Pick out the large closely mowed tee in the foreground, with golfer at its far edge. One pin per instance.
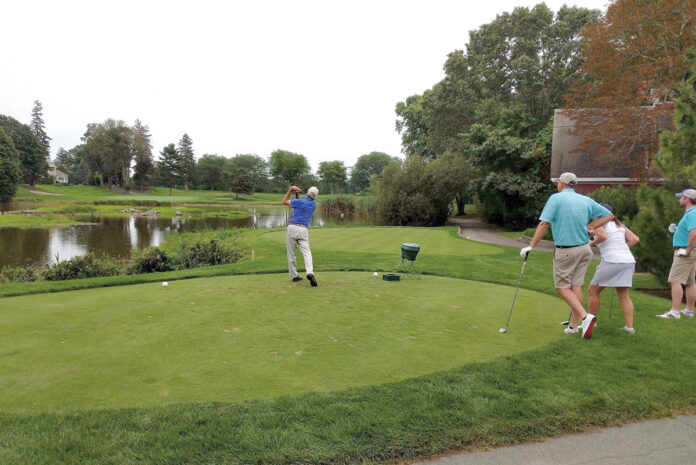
(229, 339)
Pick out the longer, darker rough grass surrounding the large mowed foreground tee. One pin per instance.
(561, 387)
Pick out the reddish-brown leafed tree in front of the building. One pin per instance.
(635, 57)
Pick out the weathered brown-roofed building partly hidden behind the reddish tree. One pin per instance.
(592, 174)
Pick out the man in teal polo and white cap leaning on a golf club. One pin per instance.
(570, 215)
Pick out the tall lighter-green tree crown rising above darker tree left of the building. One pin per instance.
(526, 58)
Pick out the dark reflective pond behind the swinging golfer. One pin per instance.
(119, 236)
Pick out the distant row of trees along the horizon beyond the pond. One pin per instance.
(115, 154)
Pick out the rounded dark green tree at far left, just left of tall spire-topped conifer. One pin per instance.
(31, 156)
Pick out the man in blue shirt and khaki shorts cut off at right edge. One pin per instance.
(684, 261)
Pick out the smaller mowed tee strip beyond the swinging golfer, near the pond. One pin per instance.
(388, 240)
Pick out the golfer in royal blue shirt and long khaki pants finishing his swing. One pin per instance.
(297, 234)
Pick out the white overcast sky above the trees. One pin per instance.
(320, 78)
